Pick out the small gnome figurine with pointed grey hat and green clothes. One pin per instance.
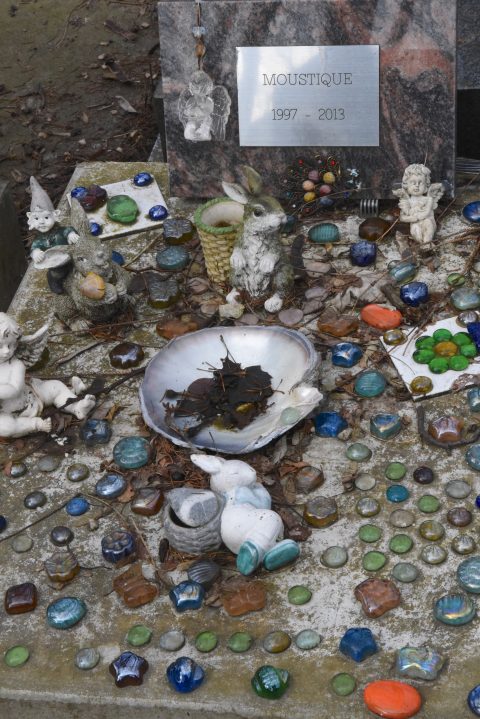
(43, 218)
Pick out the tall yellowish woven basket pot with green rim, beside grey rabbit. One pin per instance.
(218, 223)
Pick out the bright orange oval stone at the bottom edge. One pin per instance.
(392, 700)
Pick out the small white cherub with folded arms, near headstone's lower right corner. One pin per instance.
(418, 200)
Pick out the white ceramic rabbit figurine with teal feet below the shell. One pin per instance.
(249, 528)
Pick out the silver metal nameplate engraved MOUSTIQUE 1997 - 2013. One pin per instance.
(308, 96)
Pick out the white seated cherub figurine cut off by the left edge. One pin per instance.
(22, 399)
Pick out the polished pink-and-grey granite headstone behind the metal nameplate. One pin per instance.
(417, 84)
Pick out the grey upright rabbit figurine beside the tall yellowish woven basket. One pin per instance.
(259, 262)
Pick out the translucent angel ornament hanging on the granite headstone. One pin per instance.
(203, 109)
